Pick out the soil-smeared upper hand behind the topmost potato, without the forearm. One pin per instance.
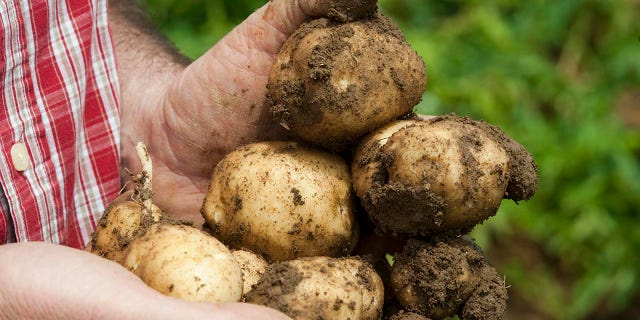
(217, 103)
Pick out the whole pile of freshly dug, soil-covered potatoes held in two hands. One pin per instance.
(309, 226)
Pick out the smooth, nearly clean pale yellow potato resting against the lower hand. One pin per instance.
(184, 262)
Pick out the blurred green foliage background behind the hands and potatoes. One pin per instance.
(562, 78)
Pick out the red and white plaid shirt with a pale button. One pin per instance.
(58, 98)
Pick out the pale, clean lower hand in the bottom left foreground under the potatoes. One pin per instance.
(46, 281)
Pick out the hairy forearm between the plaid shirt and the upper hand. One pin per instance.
(147, 64)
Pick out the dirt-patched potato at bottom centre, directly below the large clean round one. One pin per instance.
(321, 288)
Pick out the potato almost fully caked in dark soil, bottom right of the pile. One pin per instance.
(438, 278)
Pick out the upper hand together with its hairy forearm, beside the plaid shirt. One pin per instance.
(191, 114)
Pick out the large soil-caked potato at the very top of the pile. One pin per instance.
(332, 83)
